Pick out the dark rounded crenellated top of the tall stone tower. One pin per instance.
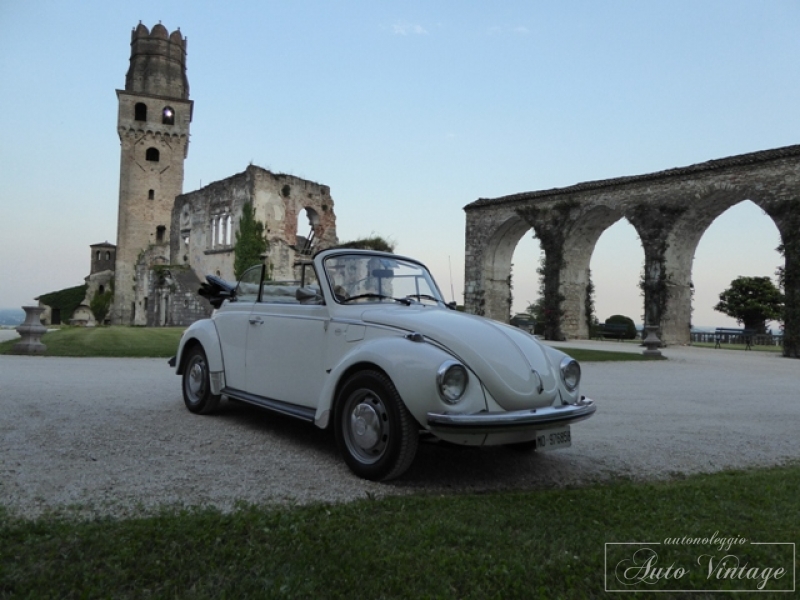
(158, 63)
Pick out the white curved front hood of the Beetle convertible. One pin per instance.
(511, 364)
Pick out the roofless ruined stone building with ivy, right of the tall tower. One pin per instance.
(207, 221)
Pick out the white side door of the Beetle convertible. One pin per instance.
(286, 349)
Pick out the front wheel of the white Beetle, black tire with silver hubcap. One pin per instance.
(375, 433)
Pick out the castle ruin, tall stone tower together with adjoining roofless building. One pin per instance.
(168, 241)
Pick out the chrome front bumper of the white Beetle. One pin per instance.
(517, 420)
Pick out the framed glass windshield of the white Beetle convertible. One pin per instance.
(370, 278)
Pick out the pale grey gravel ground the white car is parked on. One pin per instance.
(111, 436)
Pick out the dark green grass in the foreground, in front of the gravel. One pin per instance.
(534, 544)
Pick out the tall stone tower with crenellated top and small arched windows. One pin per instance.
(153, 126)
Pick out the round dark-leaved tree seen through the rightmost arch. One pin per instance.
(752, 301)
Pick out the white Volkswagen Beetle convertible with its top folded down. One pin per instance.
(365, 343)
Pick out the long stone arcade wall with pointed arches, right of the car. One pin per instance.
(670, 211)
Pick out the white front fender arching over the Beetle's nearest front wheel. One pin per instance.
(409, 365)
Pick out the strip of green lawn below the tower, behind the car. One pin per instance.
(135, 342)
